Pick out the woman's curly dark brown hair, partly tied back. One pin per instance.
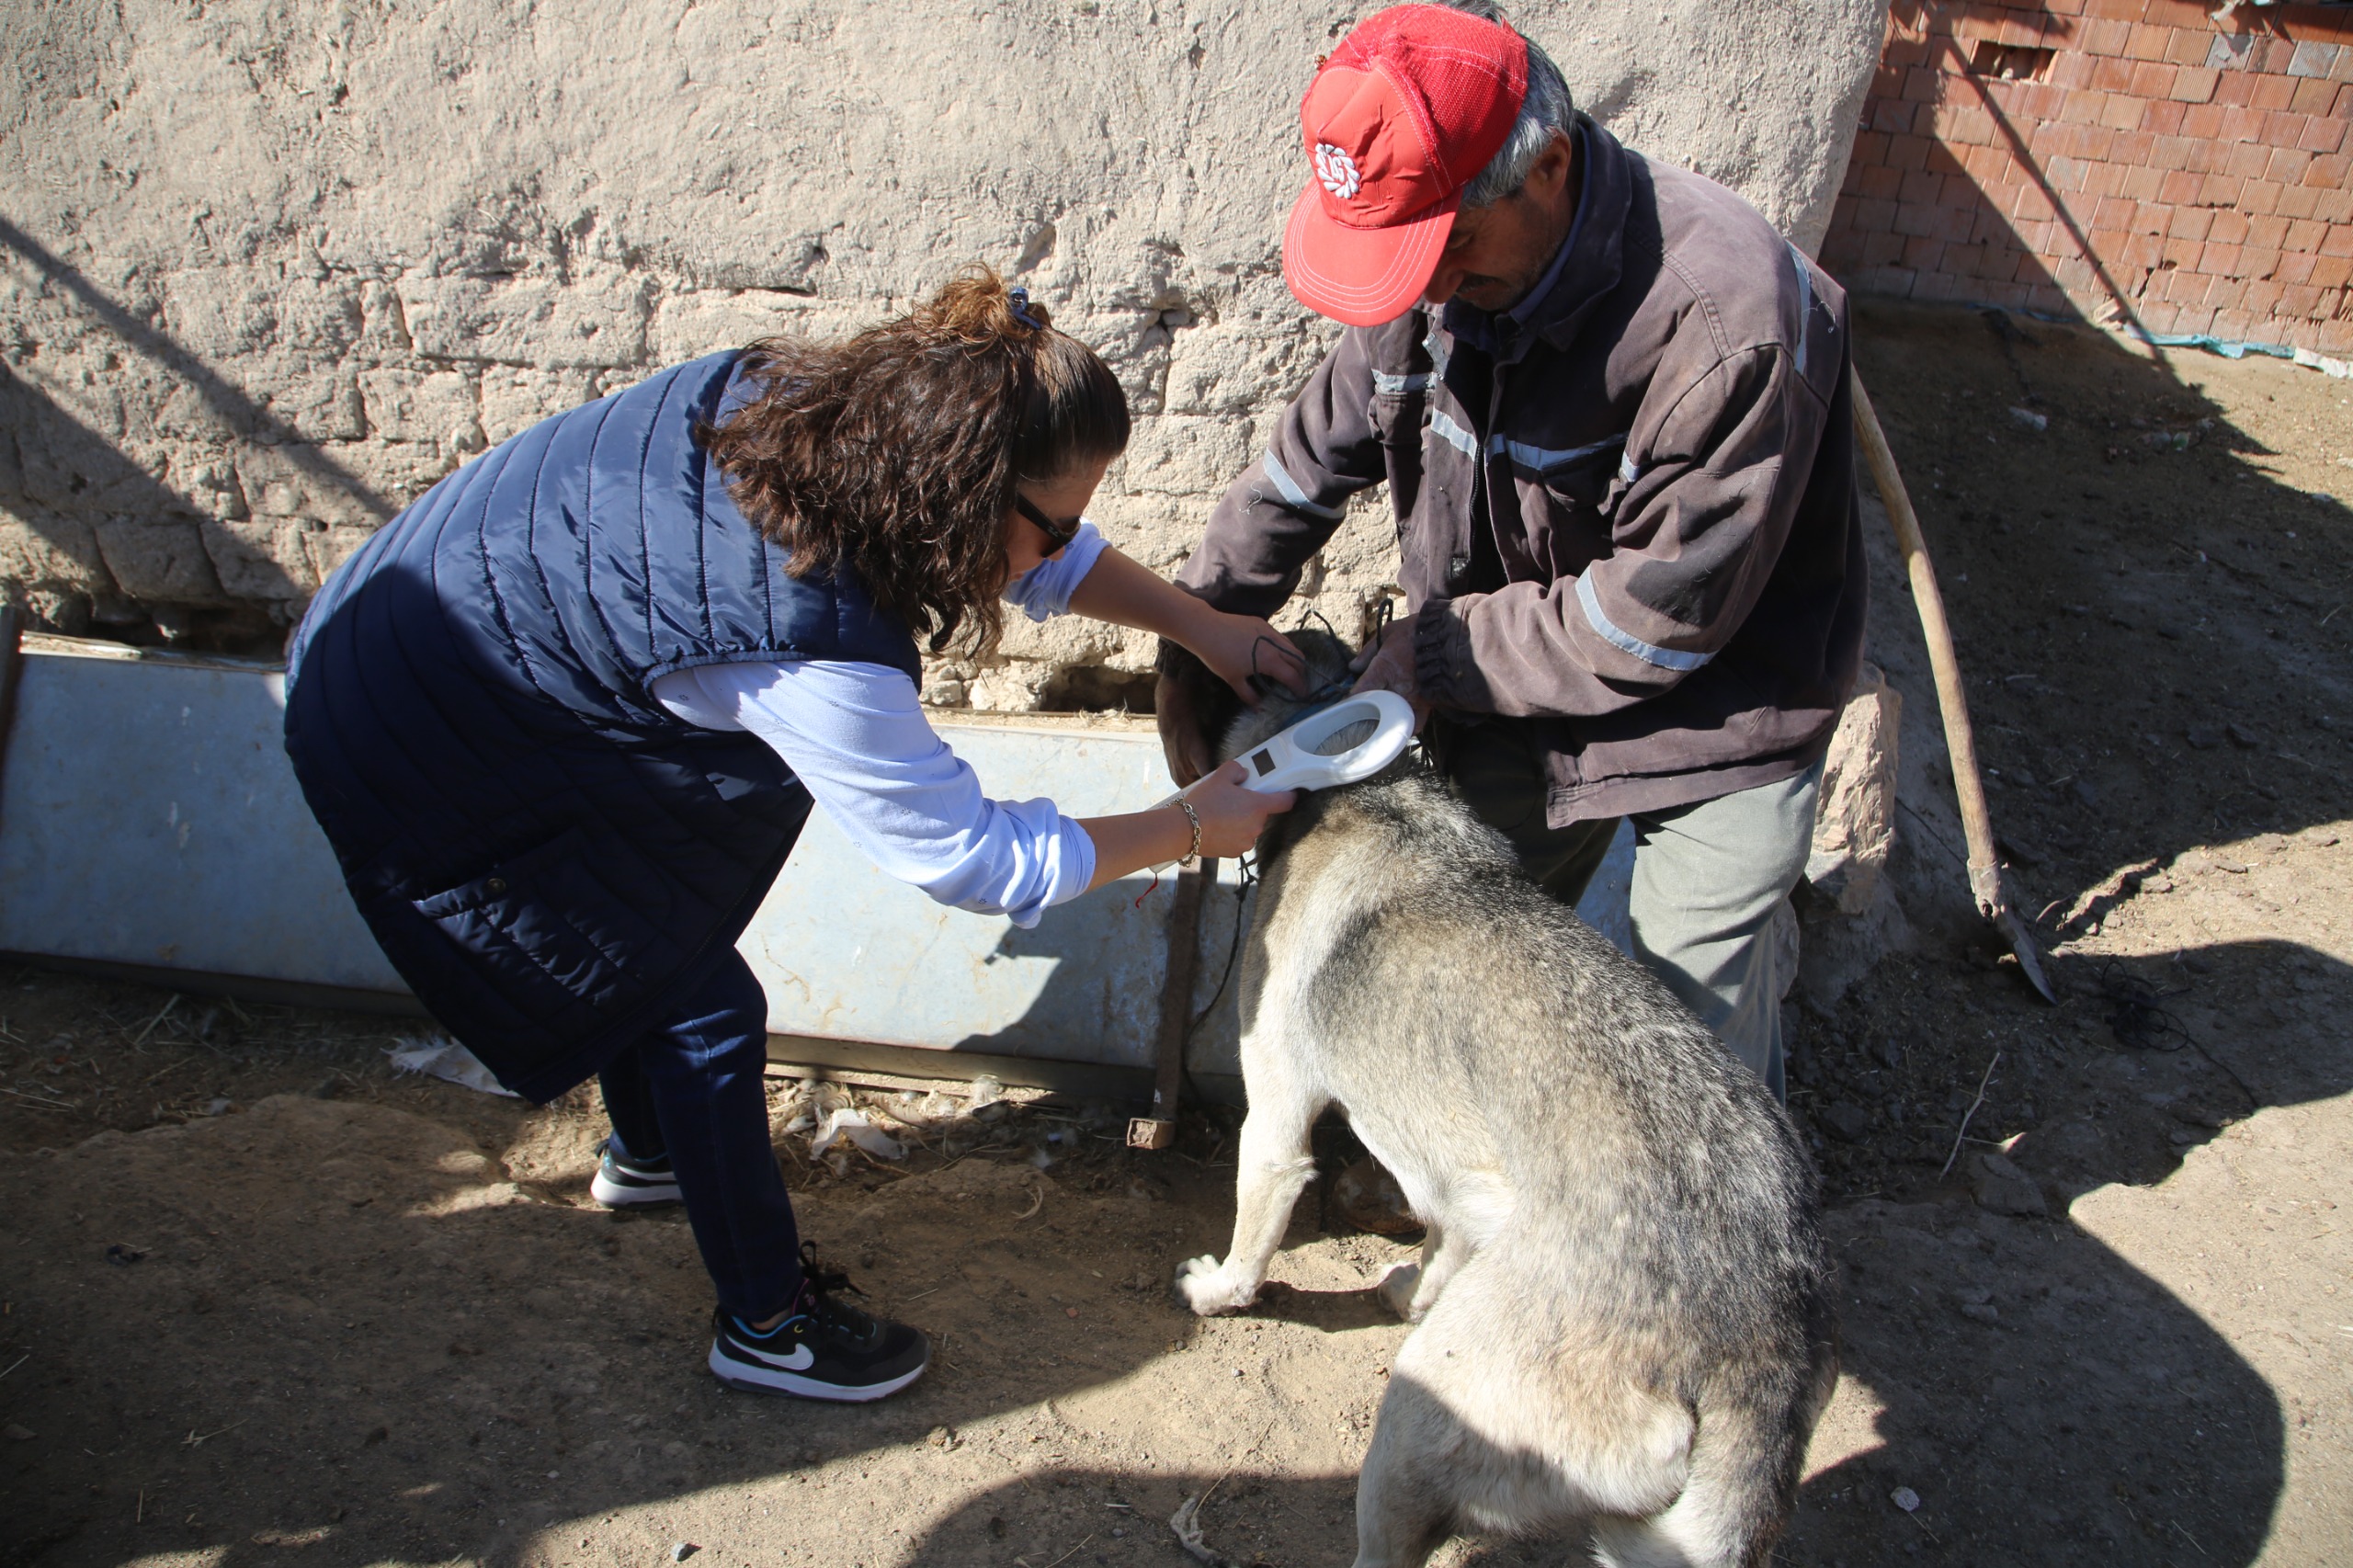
(893, 458)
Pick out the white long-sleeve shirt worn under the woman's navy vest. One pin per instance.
(858, 738)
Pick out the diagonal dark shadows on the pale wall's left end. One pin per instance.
(116, 550)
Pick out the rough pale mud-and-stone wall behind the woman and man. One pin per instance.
(272, 267)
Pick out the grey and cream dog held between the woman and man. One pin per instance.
(1625, 1296)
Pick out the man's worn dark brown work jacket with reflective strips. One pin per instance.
(1632, 531)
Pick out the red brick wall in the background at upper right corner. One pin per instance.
(2131, 161)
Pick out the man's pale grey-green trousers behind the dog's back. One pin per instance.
(1707, 879)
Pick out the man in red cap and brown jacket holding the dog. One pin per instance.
(1611, 406)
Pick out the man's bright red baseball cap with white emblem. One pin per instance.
(1399, 121)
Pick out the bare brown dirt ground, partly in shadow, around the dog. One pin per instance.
(267, 1303)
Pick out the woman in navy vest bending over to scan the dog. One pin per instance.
(566, 717)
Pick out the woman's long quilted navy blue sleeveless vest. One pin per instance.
(549, 858)
